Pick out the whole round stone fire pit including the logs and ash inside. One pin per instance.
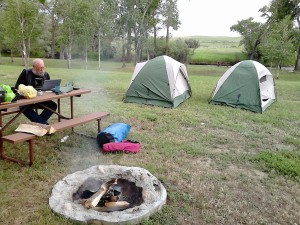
(108, 194)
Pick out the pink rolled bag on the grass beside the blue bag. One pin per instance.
(126, 146)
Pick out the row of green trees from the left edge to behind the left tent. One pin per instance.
(89, 29)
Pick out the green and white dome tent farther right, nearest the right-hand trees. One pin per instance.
(248, 85)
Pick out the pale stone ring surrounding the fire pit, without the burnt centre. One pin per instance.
(154, 195)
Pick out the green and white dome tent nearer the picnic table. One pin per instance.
(161, 81)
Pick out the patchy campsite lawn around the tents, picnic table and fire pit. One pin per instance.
(220, 165)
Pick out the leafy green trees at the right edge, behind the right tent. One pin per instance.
(276, 41)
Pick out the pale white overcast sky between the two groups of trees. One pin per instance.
(215, 17)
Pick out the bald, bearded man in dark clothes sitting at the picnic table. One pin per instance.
(35, 77)
